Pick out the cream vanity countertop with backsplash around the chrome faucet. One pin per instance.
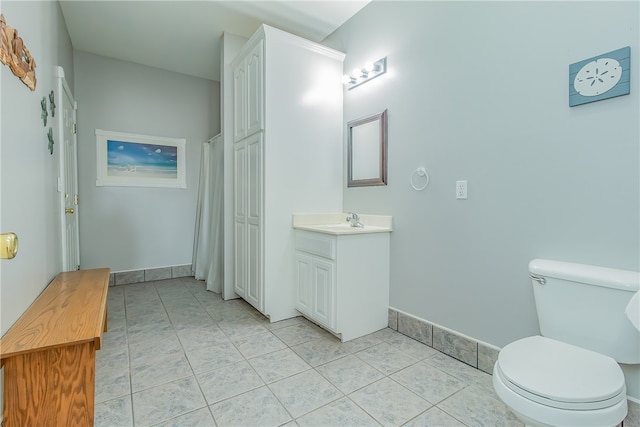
(337, 224)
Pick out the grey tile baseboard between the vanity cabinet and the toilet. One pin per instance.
(475, 353)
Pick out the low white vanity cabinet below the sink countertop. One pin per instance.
(343, 281)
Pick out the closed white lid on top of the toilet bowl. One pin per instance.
(559, 372)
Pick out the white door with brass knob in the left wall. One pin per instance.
(69, 175)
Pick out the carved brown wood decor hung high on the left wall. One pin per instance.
(15, 54)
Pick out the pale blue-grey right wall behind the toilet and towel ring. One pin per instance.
(479, 91)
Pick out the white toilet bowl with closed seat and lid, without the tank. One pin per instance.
(550, 383)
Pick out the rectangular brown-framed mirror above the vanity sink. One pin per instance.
(367, 151)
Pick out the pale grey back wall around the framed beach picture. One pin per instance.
(132, 228)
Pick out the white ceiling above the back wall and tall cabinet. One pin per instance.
(184, 36)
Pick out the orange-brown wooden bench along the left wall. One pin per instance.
(49, 353)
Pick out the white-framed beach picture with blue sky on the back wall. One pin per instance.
(131, 160)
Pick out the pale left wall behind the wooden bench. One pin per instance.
(29, 204)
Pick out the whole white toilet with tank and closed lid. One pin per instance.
(570, 375)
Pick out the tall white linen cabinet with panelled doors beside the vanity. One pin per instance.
(288, 157)
